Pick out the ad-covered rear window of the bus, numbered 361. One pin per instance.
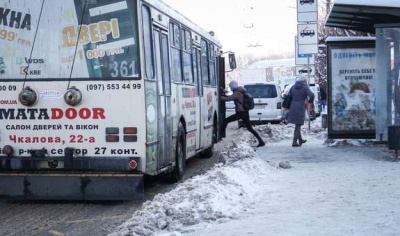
(71, 38)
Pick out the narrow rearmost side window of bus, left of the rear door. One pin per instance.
(147, 39)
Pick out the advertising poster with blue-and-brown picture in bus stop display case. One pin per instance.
(352, 92)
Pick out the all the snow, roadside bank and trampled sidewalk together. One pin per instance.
(334, 187)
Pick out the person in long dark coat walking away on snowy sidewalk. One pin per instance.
(301, 93)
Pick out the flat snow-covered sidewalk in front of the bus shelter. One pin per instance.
(330, 190)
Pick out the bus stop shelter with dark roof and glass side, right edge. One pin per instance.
(381, 18)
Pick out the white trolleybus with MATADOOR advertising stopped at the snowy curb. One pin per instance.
(96, 95)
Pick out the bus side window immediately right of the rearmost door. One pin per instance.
(176, 61)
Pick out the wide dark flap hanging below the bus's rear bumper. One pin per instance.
(71, 186)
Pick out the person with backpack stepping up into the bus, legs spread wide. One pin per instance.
(240, 113)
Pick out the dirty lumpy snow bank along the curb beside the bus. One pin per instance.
(212, 197)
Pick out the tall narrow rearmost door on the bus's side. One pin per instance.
(161, 48)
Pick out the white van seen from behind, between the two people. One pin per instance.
(267, 102)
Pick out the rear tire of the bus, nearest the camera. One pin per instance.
(180, 158)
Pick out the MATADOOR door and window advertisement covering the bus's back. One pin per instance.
(49, 47)
